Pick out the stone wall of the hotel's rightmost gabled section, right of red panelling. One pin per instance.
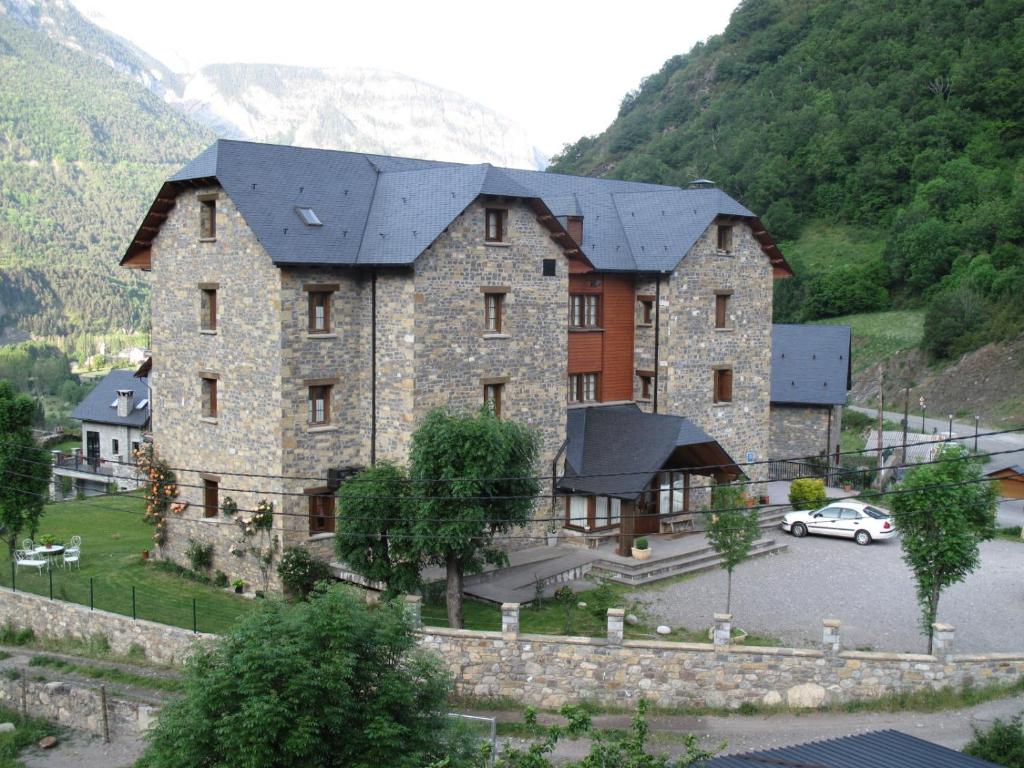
(692, 347)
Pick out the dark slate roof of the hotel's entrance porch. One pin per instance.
(617, 450)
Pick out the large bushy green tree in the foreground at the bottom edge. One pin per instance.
(329, 682)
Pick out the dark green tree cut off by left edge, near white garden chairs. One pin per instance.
(25, 468)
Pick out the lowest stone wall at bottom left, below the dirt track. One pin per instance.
(77, 706)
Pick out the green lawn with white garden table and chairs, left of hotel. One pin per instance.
(114, 536)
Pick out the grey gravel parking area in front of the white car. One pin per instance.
(869, 588)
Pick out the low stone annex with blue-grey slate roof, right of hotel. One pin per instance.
(810, 380)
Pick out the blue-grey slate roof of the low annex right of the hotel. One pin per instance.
(810, 365)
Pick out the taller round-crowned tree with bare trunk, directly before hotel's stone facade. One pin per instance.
(474, 478)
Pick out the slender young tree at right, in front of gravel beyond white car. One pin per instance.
(943, 513)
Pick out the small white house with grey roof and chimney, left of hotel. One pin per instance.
(114, 416)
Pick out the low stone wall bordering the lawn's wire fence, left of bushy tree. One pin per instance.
(59, 620)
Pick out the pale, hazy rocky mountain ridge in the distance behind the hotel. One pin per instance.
(363, 110)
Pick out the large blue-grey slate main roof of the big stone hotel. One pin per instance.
(380, 210)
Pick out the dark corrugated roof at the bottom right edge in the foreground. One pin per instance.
(888, 749)
